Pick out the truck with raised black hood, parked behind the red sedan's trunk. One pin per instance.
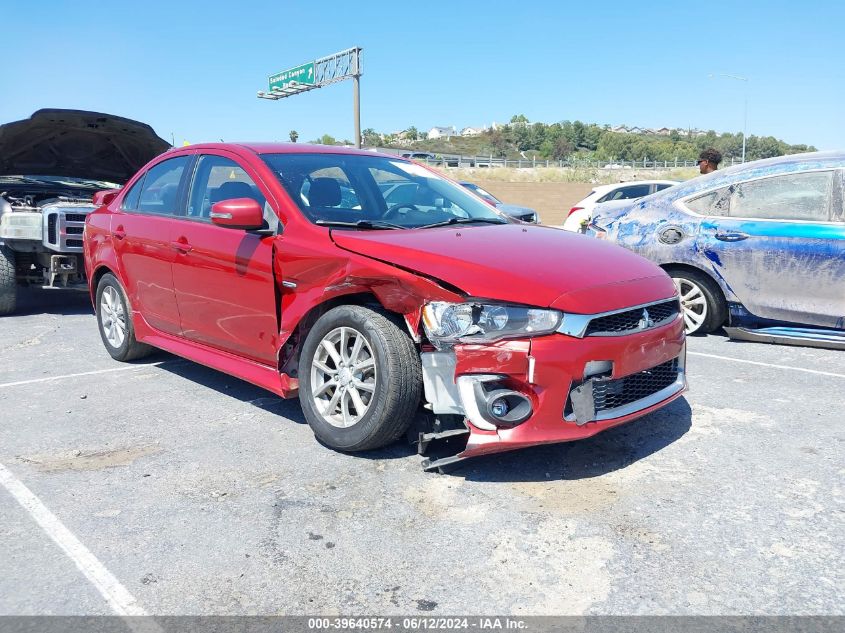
(50, 167)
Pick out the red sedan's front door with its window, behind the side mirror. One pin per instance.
(223, 277)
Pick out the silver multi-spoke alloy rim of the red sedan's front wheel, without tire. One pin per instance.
(343, 377)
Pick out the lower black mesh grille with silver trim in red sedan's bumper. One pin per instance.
(605, 398)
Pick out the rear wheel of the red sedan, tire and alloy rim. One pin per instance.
(114, 319)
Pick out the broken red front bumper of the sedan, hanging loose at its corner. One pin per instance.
(576, 387)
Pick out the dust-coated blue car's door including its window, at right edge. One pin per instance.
(779, 244)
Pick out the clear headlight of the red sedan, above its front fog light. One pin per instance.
(450, 323)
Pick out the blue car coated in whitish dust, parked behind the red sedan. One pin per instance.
(758, 248)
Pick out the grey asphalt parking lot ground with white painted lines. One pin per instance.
(176, 489)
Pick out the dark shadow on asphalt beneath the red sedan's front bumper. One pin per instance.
(606, 452)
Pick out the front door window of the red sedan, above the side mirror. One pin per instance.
(217, 178)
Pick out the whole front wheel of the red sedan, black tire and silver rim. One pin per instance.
(360, 379)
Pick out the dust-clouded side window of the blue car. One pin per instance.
(797, 196)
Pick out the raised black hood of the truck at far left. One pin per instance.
(77, 144)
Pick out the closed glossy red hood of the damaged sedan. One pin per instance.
(532, 265)
